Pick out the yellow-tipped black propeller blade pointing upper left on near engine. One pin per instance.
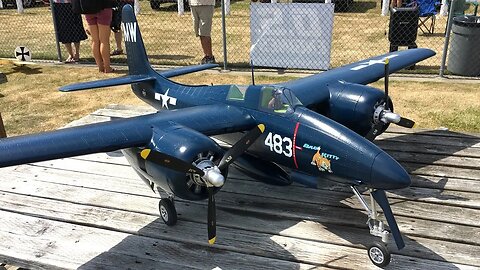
(170, 162)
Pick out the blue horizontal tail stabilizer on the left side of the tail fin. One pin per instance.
(106, 83)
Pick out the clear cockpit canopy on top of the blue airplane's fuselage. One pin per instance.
(279, 99)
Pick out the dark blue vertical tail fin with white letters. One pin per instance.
(137, 59)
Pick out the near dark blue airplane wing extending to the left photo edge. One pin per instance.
(119, 134)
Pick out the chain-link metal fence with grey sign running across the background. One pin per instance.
(306, 34)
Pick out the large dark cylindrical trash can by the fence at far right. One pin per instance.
(464, 53)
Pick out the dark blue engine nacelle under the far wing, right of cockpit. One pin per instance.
(352, 105)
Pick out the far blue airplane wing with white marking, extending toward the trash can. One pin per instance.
(362, 72)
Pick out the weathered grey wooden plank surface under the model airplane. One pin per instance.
(93, 212)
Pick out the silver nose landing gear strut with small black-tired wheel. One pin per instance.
(377, 251)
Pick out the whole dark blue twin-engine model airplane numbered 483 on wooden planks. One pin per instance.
(306, 130)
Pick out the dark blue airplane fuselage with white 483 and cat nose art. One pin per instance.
(299, 139)
